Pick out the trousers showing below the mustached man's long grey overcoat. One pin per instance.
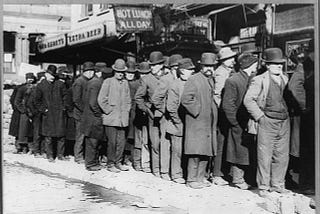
(197, 165)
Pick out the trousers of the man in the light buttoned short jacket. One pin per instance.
(116, 143)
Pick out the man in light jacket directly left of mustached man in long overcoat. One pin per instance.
(176, 117)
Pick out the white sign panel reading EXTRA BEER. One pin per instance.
(85, 34)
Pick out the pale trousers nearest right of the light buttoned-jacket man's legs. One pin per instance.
(141, 152)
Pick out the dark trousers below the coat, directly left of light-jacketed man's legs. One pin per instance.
(91, 152)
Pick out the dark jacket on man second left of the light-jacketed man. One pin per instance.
(79, 88)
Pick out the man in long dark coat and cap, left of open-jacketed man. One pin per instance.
(239, 141)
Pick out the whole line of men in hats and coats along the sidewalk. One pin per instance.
(239, 115)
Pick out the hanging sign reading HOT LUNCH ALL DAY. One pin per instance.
(133, 19)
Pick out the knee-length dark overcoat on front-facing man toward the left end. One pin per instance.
(50, 100)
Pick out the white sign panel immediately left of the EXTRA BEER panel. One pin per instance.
(52, 43)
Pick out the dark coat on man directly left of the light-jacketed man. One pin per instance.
(91, 123)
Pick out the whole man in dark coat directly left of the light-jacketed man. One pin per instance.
(91, 123)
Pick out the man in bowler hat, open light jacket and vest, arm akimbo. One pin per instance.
(264, 101)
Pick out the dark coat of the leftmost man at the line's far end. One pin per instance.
(15, 118)
